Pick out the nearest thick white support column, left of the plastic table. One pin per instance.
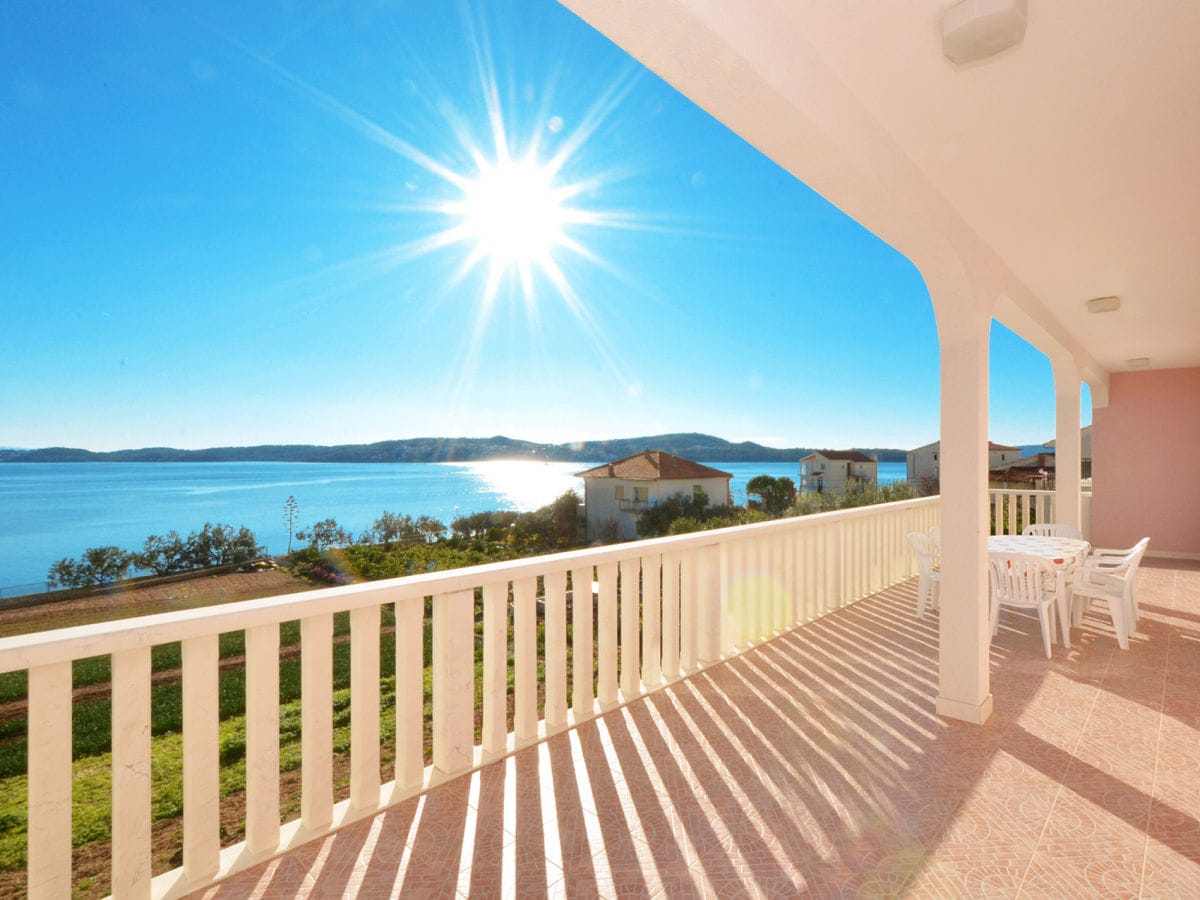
(964, 688)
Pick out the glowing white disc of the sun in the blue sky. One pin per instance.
(513, 214)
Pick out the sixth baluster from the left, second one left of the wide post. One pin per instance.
(365, 707)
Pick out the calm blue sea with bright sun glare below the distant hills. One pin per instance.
(55, 511)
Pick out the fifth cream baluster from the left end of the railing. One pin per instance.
(316, 723)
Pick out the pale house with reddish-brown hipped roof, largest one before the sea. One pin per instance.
(616, 494)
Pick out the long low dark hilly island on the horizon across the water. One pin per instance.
(694, 447)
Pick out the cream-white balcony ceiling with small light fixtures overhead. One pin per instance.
(1063, 170)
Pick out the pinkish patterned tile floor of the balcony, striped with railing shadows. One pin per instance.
(815, 764)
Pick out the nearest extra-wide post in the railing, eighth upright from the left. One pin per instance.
(454, 681)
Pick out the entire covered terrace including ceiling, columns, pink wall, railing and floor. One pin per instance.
(866, 751)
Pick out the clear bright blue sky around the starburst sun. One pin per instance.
(244, 224)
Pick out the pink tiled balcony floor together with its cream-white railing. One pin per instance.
(770, 727)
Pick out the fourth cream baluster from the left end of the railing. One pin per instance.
(262, 740)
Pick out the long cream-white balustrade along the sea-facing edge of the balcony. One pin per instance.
(641, 615)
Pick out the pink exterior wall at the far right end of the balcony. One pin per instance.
(1144, 463)
